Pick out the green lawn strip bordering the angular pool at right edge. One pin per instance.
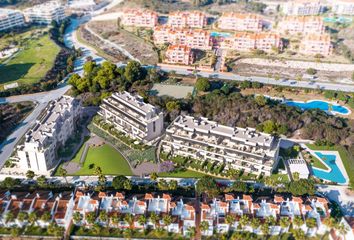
(345, 155)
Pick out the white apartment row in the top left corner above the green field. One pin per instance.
(40, 14)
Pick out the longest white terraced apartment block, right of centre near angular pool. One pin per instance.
(237, 148)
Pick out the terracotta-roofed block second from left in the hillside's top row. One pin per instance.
(194, 19)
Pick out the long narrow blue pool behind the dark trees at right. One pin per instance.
(320, 105)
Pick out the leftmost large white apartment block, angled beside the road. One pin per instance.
(39, 150)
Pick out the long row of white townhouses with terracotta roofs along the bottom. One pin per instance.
(75, 207)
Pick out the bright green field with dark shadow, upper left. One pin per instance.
(33, 61)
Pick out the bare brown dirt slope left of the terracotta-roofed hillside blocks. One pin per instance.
(136, 46)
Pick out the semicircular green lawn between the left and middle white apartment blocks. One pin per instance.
(107, 158)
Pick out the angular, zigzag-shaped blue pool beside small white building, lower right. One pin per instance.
(335, 175)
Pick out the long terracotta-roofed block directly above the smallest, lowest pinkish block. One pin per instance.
(193, 38)
